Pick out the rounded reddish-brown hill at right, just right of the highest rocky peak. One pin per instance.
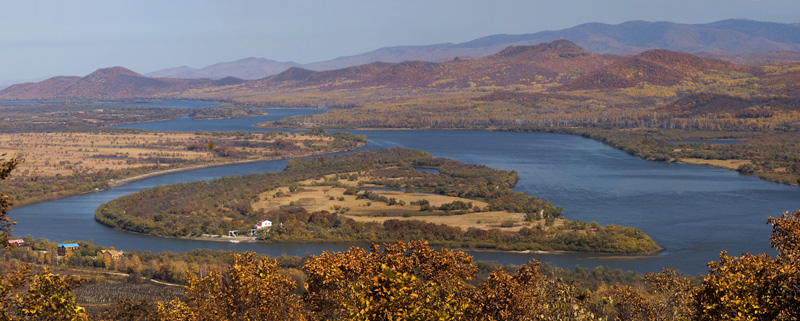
(657, 67)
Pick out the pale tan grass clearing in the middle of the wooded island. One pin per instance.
(333, 199)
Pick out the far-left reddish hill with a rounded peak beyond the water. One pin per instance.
(109, 83)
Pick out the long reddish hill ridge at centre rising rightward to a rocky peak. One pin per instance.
(559, 61)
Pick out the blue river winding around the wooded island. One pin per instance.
(694, 212)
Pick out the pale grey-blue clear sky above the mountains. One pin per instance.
(44, 38)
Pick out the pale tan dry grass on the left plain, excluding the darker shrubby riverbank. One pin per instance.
(52, 154)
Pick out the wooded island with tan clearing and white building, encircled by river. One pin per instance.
(370, 196)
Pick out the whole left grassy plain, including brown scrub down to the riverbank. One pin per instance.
(60, 164)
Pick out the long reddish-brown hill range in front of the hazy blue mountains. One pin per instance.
(559, 63)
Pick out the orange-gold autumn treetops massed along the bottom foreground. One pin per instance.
(411, 281)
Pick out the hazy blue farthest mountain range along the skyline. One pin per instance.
(737, 40)
